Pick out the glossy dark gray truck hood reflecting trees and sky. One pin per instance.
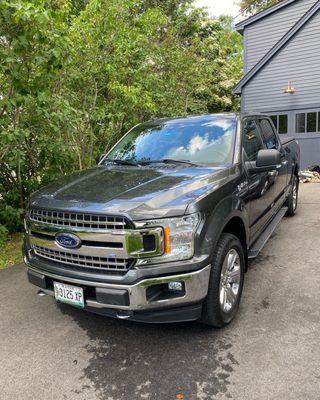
(139, 192)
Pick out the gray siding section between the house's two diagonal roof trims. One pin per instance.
(262, 35)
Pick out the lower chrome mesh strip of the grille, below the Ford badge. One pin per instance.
(84, 261)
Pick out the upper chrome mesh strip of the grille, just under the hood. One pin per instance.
(79, 220)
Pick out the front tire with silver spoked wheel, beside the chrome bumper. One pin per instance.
(226, 282)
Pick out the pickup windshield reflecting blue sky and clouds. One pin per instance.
(206, 140)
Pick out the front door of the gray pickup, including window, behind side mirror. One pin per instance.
(259, 197)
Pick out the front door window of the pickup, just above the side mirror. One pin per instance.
(251, 140)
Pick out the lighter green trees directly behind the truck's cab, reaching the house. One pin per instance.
(137, 63)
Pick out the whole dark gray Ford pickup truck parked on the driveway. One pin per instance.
(161, 230)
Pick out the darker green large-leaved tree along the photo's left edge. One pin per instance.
(33, 46)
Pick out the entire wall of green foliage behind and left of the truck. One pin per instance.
(75, 75)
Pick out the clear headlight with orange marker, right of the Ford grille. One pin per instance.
(178, 238)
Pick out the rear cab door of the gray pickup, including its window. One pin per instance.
(271, 141)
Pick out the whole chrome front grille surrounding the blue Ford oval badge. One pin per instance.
(107, 243)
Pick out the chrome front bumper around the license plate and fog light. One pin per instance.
(196, 289)
